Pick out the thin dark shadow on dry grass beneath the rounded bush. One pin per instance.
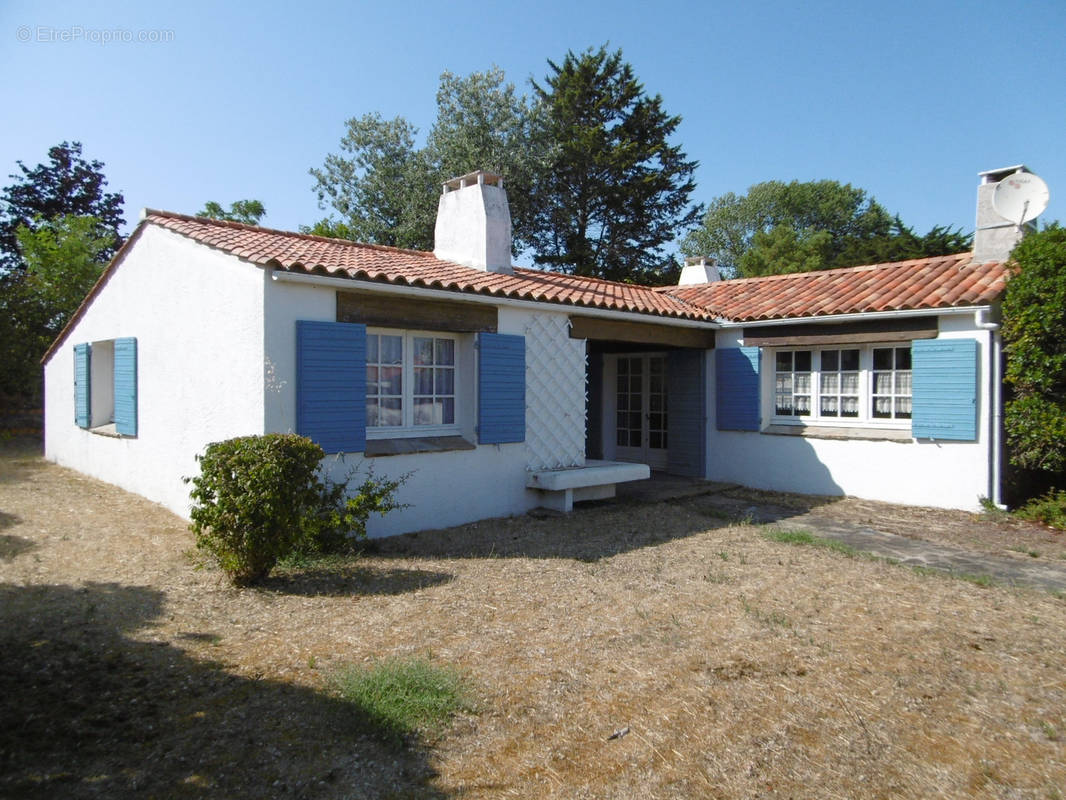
(345, 579)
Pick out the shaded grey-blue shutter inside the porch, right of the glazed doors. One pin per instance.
(687, 413)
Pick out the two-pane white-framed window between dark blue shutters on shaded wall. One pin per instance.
(411, 382)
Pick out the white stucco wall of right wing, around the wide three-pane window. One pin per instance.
(950, 475)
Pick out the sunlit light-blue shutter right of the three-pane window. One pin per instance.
(945, 404)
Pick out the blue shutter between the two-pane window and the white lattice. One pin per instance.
(502, 389)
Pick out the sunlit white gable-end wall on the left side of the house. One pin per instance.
(198, 316)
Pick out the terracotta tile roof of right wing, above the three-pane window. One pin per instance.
(922, 283)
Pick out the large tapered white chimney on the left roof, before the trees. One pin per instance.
(474, 223)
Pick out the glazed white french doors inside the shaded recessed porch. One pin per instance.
(641, 410)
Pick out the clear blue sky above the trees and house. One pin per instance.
(909, 101)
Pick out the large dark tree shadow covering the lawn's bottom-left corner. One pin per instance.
(90, 712)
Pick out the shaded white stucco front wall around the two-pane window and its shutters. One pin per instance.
(443, 489)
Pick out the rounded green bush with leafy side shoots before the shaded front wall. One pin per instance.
(262, 499)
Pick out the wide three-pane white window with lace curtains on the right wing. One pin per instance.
(869, 385)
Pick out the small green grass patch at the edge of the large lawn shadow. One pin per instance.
(405, 697)
